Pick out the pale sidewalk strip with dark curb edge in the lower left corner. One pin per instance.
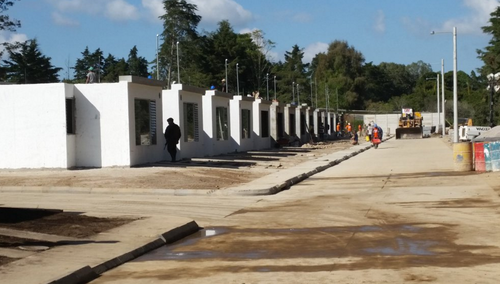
(68, 263)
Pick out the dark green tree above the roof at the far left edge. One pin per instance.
(27, 65)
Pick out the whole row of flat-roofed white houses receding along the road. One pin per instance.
(121, 124)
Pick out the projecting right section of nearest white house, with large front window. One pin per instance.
(118, 124)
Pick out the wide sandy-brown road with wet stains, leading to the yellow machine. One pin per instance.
(398, 214)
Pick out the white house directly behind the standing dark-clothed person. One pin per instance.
(185, 105)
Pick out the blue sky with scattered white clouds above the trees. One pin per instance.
(397, 31)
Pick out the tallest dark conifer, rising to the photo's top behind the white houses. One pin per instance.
(179, 30)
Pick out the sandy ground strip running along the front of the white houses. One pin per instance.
(205, 173)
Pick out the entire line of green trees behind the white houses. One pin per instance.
(339, 78)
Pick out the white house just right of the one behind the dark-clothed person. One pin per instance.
(217, 123)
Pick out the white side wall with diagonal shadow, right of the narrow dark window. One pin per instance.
(102, 125)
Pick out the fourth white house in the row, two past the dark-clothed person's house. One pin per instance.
(242, 126)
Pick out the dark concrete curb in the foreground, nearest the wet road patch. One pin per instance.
(87, 274)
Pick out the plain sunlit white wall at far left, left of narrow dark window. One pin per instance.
(33, 126)
